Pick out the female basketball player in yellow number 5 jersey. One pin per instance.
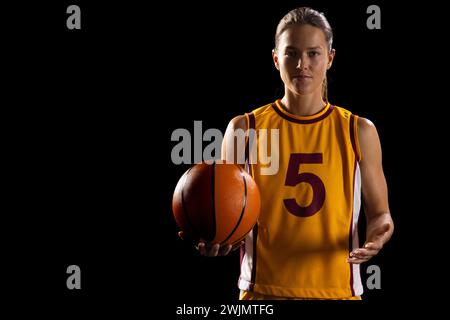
(305, 244)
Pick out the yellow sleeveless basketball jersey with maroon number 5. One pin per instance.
(309, 206)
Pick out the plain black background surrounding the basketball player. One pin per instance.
(87, 124)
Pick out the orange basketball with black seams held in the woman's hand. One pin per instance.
(217, 202)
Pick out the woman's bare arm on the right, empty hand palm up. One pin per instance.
(375, 196)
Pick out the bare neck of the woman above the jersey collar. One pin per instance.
(303, 105)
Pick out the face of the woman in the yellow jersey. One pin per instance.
(302, 57)
